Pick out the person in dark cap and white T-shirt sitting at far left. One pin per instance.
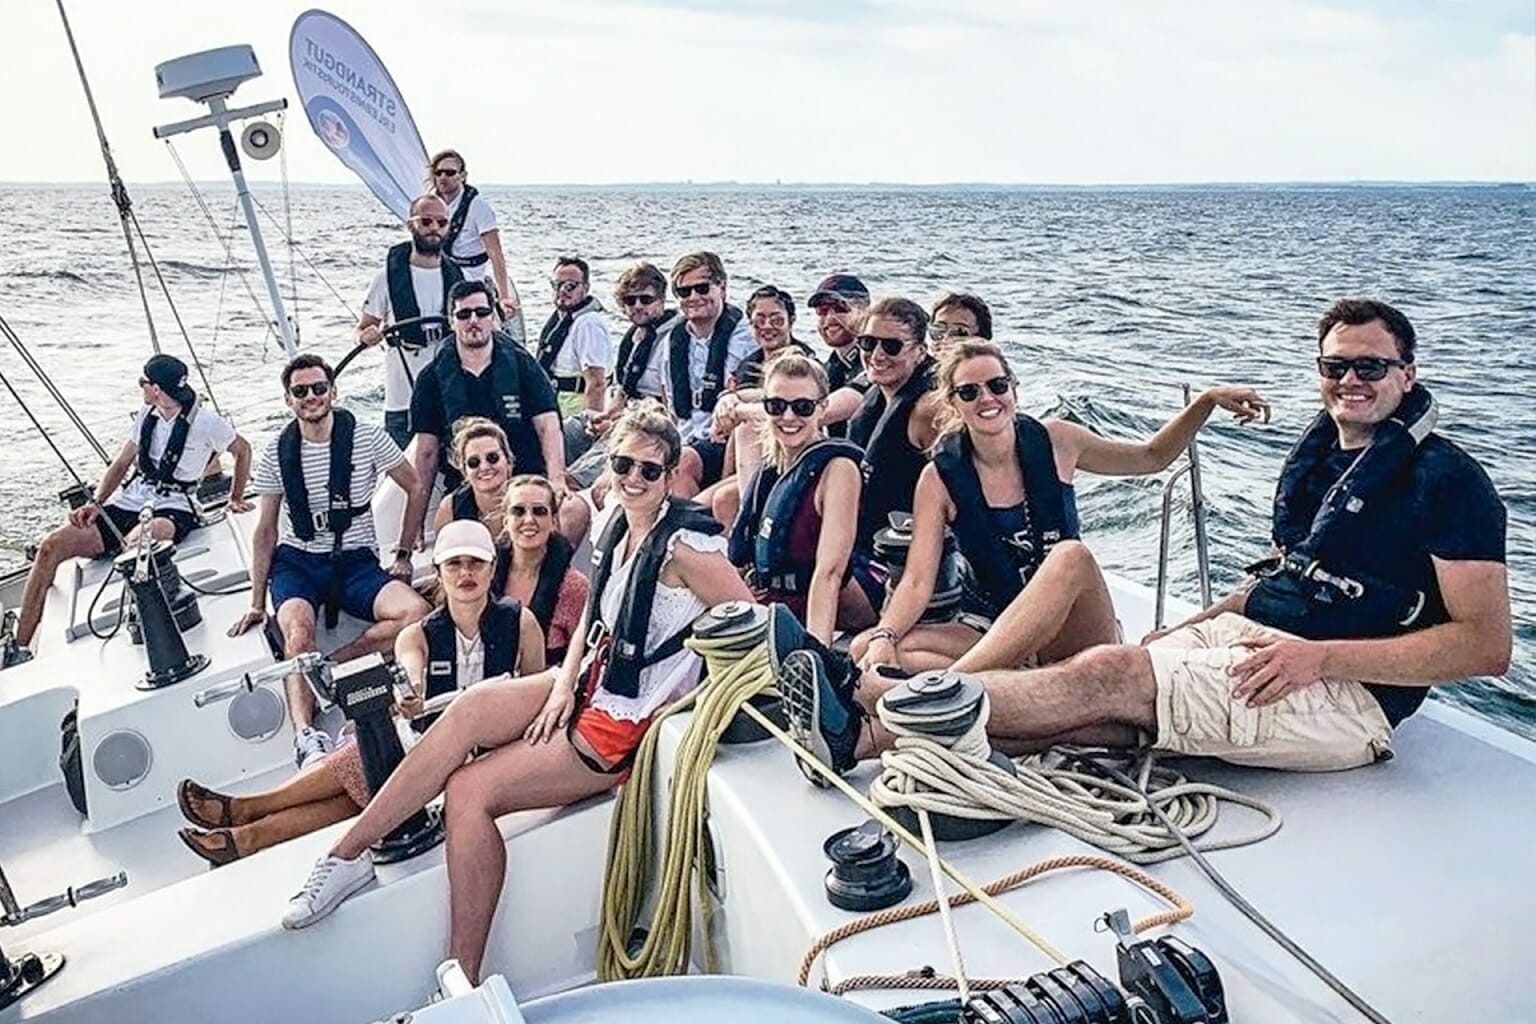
(159, 467)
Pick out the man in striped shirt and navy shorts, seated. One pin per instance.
(316, 546)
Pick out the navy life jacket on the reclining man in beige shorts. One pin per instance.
(1331, 572)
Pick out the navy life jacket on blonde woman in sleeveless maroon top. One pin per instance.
(761, 537)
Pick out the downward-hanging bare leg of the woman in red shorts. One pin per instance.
(515, 778)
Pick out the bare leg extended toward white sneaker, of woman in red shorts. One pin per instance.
(486, 716)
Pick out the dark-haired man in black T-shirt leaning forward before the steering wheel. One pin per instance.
(486, 374)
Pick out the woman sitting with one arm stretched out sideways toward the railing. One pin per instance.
(1004, 483)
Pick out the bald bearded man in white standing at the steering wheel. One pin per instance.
(414, 283)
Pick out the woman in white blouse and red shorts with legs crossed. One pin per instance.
(571, 733)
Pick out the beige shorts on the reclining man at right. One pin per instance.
(1326, 727)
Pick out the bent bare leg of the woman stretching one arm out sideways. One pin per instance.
(1064, 610)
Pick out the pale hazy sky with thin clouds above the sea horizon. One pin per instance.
(855, 91)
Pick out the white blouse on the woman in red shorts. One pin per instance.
(675, 607)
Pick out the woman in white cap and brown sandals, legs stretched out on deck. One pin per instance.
(471, 636)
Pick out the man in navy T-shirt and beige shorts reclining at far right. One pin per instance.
(1388, 578)
